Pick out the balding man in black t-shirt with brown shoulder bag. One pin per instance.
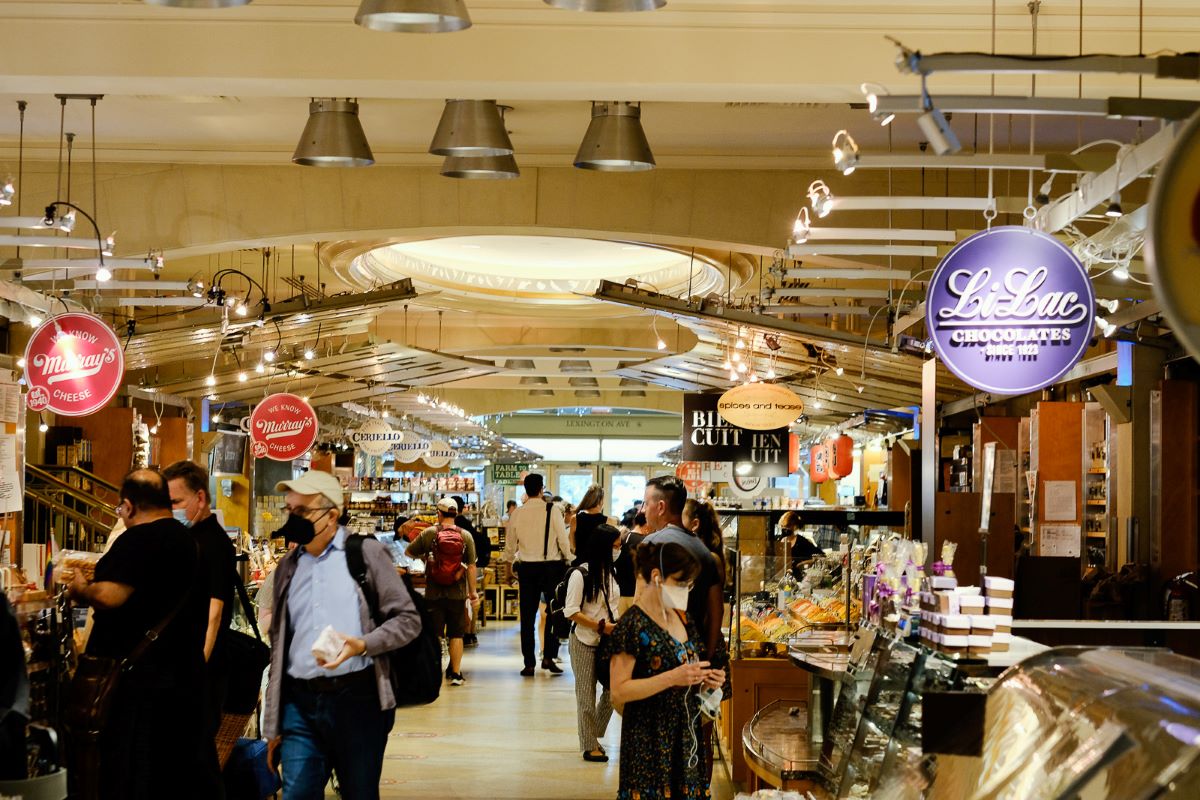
(158, 715)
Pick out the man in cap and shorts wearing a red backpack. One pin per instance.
(449, 580)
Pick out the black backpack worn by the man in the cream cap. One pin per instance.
(417, 666)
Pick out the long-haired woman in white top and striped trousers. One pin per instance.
(592, 604)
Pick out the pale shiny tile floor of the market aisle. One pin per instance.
(502, 737)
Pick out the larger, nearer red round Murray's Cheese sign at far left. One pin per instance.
(74, 365)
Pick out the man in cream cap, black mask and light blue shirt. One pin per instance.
(334, 715)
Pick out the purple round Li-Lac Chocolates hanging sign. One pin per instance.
(1010, 310)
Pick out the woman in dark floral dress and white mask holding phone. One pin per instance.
(657, 676)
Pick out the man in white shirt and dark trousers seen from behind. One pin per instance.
(541, 548)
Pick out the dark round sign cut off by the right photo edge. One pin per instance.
(1173, 240)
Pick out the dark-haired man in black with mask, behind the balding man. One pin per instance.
(190, 501)
